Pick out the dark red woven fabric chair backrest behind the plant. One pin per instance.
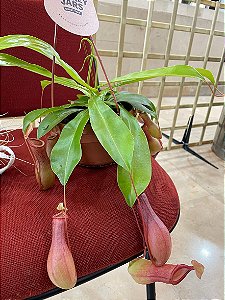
(21, 89)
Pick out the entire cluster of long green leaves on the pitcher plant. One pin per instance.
(119, 133)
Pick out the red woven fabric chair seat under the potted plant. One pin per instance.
(102, 228)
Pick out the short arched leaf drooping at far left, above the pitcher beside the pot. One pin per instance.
(38, 113)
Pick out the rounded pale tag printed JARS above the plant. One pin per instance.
(76, 16)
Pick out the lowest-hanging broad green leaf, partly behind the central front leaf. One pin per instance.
(141, 163)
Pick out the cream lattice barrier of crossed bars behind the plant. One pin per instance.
(145, 55)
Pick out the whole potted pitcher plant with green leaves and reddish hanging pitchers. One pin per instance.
(101, 126)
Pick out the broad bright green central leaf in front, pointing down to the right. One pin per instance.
(111, 132)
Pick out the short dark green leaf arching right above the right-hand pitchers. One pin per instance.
(139, 102)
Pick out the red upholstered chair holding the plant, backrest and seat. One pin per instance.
(102, 228)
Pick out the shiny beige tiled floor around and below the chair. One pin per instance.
(199, 234)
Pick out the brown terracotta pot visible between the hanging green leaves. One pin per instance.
(93, 154)
